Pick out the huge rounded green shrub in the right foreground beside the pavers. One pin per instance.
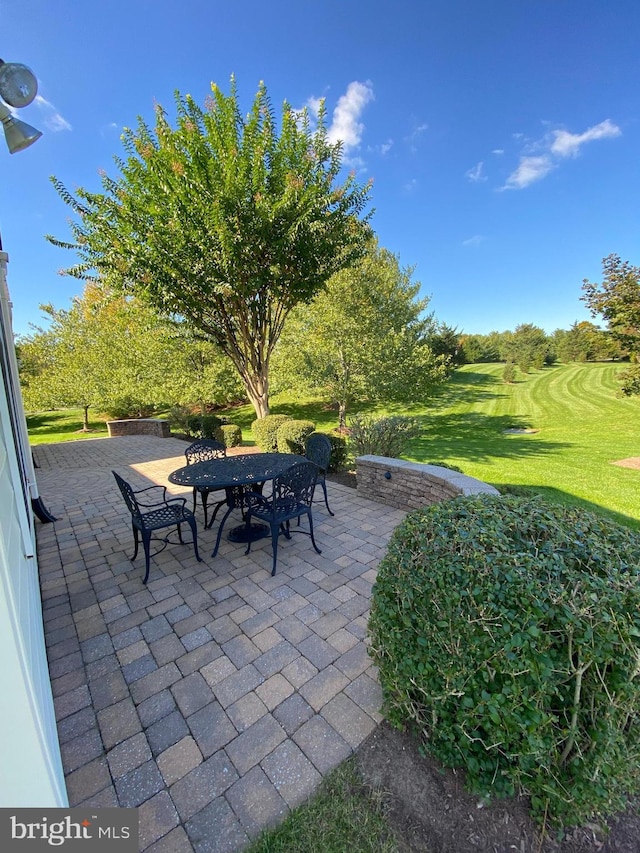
(507, 635)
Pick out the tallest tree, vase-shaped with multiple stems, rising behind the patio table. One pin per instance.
(226, 221)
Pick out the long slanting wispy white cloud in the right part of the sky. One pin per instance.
(543, 156)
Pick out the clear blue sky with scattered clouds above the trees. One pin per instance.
(503, 136)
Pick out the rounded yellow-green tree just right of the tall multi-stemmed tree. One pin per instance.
(365, 337)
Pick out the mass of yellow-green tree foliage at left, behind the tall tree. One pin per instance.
(112, 352)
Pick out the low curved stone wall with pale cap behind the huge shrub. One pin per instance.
(410, 485)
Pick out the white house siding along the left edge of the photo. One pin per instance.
(30, 768)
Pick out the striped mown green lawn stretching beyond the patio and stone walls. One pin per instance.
(582, 427)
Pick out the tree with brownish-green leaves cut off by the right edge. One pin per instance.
(617, 299)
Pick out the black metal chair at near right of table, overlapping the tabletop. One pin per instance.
(291, 497)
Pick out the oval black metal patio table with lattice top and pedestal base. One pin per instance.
(235, 474)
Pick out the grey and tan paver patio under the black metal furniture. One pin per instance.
(215, 698)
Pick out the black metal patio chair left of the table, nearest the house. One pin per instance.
(149, 514)
